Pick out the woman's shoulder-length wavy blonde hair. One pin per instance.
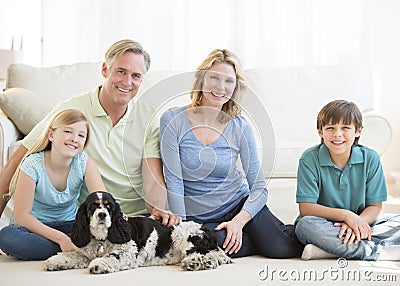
(231, 107)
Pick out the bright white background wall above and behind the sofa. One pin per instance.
(179, 33)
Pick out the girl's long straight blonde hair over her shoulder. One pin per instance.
(60, 119)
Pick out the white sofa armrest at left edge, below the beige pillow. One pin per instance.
(8, 135)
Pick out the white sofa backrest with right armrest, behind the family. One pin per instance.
(282, 104)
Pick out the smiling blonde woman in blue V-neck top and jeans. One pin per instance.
(200, 145)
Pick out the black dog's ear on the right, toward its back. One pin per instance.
(120, 230)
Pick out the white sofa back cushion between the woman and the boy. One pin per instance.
(284, 104)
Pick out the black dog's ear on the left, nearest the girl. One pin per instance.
(80, 232)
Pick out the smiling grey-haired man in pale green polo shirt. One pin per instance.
(130, 165)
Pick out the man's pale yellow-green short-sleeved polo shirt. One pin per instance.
(117, 150)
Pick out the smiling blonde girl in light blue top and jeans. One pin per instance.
(46, 187)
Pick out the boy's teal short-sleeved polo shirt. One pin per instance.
(359, 184)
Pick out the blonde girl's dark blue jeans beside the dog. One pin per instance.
(19, 242)
